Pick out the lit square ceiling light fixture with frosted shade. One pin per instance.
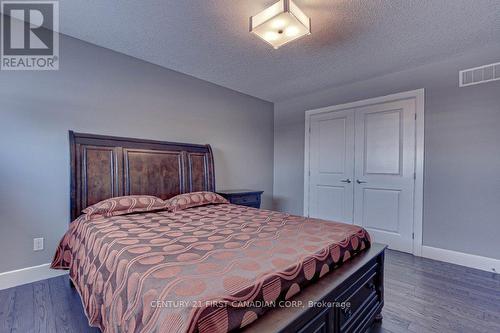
(281, 23)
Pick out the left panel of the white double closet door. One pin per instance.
(331, 165)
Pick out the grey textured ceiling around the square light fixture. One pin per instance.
(351, 40)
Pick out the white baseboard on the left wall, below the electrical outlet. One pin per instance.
(28, 275)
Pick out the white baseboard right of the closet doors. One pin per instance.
(463, 259)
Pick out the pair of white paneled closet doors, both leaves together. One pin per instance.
(362, 169)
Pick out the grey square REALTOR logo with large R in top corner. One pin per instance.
(29, 35)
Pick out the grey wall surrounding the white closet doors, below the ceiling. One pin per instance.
(462, 150)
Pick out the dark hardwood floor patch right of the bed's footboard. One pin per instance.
(423, 295)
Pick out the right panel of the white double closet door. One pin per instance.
(384, 172)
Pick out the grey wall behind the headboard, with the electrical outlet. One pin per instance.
(103, 92)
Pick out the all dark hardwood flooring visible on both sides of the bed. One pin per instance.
(421, 296)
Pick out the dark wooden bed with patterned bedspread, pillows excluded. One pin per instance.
(208, 268)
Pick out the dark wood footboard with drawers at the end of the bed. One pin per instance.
(359, 282)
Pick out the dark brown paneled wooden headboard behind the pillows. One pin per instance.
(103, 167)
